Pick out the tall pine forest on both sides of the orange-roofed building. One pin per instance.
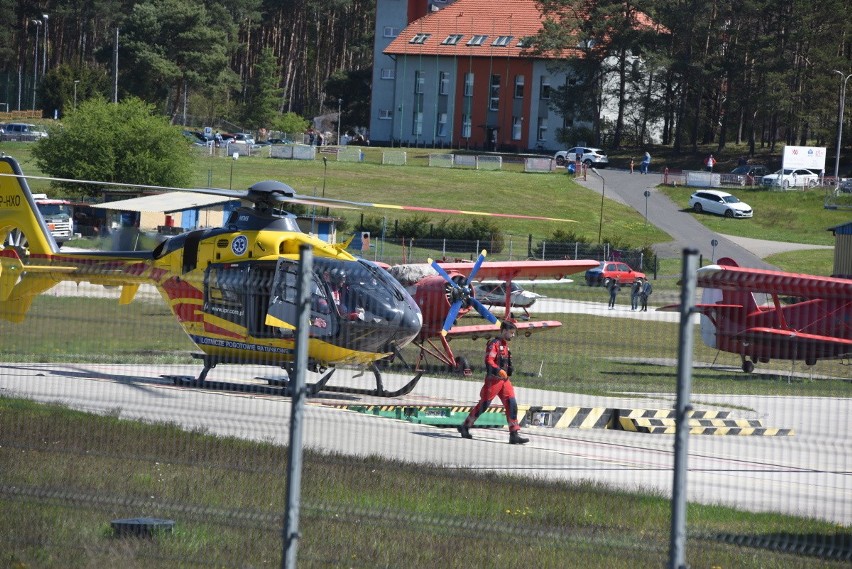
(760, 72)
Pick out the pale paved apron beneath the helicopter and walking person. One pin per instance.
(807, 474)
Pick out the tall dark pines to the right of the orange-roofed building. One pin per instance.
(760, 72)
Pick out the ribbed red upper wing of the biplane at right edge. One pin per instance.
(773, 282)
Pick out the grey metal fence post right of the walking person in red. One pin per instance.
(677, 545)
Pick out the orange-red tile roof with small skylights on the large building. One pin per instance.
(492, 18)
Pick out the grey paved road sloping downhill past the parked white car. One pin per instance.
(685, 230)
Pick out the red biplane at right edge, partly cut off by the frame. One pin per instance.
(816, 325)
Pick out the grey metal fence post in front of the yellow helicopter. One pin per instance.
(294, 455)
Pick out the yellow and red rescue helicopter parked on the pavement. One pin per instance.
(232, 288)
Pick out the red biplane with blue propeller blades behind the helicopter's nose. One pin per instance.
(444, 292)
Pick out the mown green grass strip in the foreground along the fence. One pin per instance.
(66, 474)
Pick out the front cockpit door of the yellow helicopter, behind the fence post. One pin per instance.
(283, 308)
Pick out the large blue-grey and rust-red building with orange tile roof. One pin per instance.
(460, 74)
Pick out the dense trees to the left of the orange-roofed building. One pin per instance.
(247, 61)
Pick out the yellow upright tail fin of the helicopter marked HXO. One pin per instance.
(21, 224)
